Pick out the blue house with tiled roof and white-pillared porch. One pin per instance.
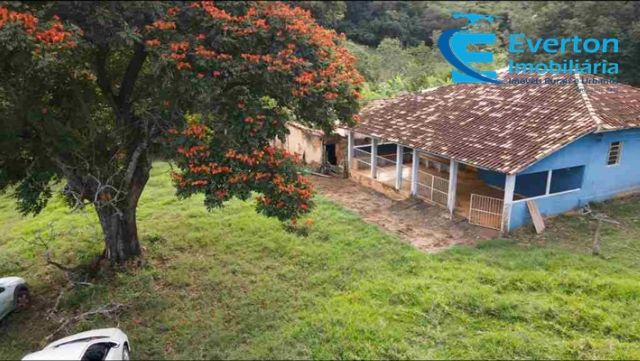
(490, 153)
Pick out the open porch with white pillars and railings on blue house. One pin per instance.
(407, 172)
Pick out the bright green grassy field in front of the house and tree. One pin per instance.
(233, 284)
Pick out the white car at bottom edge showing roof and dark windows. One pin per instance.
(102, 344)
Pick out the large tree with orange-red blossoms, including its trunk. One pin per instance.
(94, 90)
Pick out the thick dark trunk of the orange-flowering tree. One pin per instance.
(119, 221)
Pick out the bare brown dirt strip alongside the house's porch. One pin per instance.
(426, 226)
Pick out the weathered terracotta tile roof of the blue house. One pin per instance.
(504, 127)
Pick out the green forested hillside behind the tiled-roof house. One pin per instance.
(394, 40)
